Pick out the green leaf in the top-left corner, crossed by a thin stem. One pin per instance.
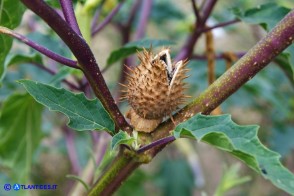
(10, 17)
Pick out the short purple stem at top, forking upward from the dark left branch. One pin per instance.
(69, 15)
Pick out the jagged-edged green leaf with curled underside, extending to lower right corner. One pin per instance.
(242, 142)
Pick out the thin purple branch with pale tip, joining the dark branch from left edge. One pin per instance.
(41, 49)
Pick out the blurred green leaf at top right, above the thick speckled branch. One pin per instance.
(266, 15)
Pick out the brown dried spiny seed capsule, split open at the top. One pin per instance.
(154, 89)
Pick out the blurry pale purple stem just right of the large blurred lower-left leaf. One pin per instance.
(69, 139)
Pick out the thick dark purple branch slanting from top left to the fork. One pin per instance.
(85, 58)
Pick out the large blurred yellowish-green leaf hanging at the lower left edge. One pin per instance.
(20, 134)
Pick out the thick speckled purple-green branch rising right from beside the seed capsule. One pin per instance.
(245, 69)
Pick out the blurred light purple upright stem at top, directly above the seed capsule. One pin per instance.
(146, 8)
